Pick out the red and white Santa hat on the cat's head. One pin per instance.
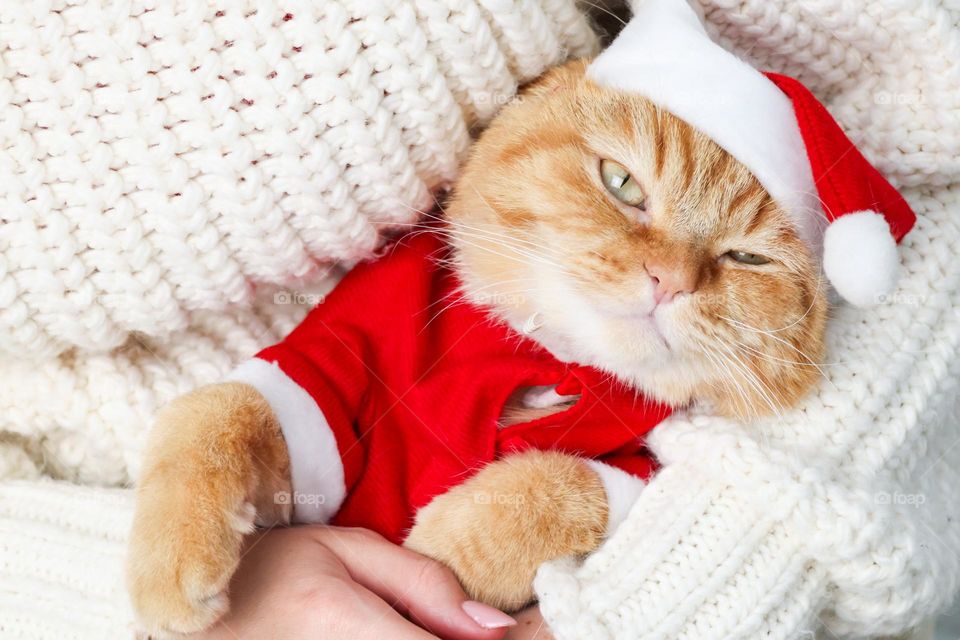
(842, 207)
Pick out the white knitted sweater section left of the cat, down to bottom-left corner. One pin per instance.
(174, 182)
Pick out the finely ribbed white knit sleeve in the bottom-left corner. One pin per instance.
(61, 561)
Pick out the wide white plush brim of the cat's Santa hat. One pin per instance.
(665, 55)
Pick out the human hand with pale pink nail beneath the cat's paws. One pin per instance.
(312, 581)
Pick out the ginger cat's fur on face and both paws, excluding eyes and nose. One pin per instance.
(534, 231)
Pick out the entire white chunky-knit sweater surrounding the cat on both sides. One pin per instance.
(168, 174)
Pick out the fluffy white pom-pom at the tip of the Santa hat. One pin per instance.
(860, 257)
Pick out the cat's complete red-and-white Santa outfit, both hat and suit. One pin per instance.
(390, 391)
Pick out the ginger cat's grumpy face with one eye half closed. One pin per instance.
(629, 241)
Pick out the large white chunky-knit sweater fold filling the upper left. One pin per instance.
(171, 159)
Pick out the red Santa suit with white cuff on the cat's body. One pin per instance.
(389, 393)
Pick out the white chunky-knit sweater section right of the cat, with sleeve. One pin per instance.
(837, 519)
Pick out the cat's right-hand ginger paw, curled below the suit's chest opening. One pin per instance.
(498, 527)
